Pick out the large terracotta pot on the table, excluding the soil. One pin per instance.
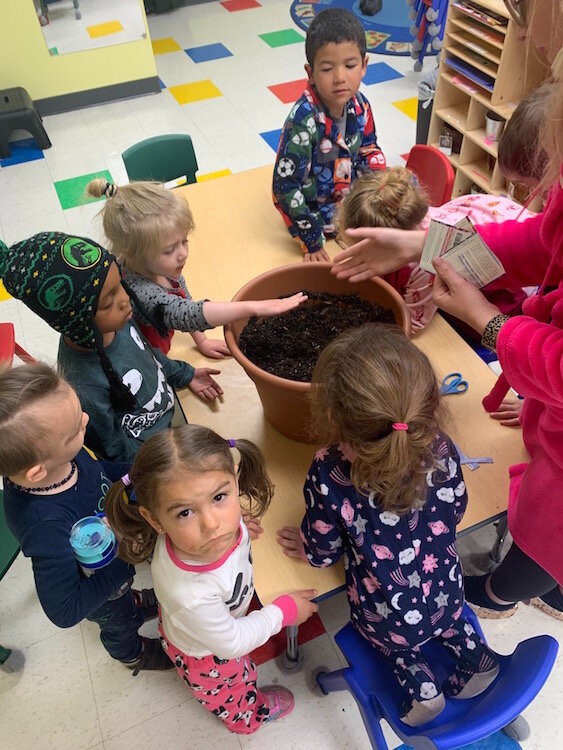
(286, 402)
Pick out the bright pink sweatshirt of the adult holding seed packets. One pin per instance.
(530, 350)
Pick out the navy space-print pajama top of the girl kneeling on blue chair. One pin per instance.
(403, 573)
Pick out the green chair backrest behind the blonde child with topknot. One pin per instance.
(162, 158)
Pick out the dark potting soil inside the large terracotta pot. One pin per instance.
(289, 345)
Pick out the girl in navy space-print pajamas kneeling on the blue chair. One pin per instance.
(387, 494)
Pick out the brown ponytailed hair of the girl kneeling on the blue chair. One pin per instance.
(365, 381)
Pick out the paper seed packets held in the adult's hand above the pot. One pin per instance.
(464, 250)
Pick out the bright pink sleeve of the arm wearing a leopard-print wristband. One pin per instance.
(531, 356)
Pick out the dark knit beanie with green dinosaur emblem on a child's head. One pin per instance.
(59, 277)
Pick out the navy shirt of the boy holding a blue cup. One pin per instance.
(42, 524)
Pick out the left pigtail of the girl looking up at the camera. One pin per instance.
(136, 536)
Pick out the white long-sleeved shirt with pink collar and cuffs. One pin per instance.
(204, 607)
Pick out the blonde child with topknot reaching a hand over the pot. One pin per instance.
(147, 227)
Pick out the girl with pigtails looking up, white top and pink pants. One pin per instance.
(180, 504)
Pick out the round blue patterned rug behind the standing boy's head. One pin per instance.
(387, 33)
